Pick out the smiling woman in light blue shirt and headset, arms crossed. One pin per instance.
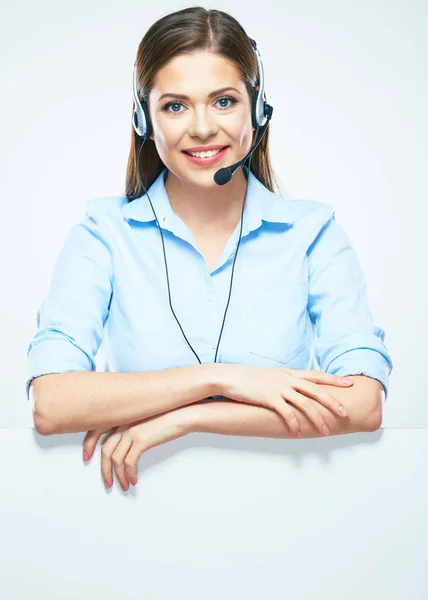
(153, 276)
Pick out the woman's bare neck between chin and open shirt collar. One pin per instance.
(216, 207)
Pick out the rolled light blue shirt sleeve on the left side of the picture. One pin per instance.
(70, 319)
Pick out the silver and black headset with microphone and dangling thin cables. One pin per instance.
(261, 113)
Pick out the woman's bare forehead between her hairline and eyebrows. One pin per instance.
(200, 70)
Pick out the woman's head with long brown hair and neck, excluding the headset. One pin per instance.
(198, 73)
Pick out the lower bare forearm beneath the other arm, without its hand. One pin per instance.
(235, 418)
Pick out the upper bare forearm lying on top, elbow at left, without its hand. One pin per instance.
(81, 400)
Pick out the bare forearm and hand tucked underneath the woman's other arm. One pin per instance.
(363, 402)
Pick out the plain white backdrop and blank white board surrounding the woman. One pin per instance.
(348, 83)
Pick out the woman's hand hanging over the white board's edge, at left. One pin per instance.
(125, 444)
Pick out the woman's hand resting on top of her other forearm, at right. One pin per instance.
(281, 388)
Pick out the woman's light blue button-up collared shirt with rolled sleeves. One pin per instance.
(298, 295)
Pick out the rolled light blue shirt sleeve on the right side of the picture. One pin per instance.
(348, 342)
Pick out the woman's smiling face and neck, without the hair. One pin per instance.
(201, 112)
